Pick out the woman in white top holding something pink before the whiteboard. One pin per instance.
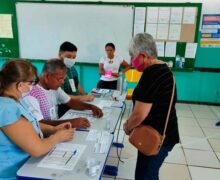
(109, 68)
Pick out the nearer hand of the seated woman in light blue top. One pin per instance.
(64, 134)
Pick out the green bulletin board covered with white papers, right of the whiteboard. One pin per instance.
(160, 18)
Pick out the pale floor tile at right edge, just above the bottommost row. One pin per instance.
(201, 158)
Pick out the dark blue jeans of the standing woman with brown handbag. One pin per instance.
(147, 167)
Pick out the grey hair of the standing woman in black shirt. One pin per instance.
(143, 42)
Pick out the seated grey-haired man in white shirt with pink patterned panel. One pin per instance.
(45, 97)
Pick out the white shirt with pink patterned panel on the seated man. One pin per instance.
(44, 103)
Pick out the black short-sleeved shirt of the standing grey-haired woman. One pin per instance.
(155, 87)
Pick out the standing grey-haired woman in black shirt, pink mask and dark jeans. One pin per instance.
(151, 99)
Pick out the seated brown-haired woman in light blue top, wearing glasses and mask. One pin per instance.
(20, 133)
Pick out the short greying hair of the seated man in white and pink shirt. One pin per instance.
(54, 65)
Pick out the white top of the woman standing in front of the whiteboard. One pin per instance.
(112, 65)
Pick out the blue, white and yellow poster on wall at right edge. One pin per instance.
(210, 31)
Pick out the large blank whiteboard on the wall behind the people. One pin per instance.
(42, 27)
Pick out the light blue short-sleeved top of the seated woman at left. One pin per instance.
(11, 156)
